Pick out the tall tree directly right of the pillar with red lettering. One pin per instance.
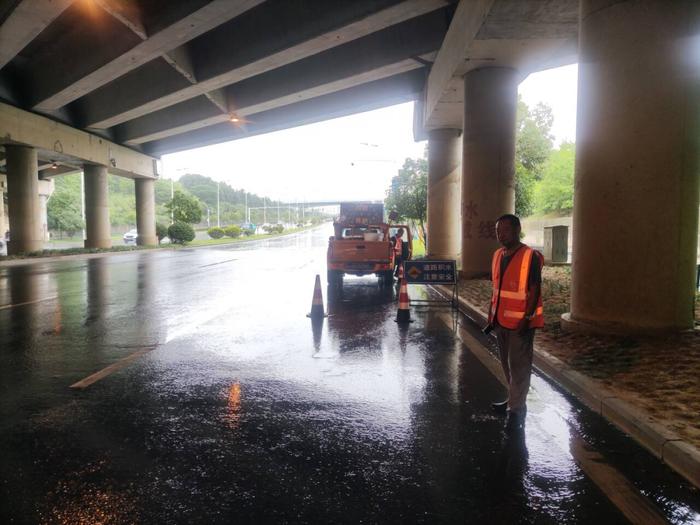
(533, 145)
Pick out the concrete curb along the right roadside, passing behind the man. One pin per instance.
(678, 454)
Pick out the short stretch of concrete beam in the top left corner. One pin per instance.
(28, 19)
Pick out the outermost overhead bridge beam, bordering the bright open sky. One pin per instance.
(381, 93)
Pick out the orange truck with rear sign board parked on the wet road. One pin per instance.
(363, 244)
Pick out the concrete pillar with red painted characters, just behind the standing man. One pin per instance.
(488, 162)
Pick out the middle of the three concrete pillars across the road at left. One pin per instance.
(98, 231)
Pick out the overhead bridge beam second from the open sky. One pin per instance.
(380, 55)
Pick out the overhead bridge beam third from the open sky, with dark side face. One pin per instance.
(257, 42)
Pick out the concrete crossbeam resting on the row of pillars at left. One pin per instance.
(21, 127)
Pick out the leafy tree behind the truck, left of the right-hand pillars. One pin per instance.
(408, 195)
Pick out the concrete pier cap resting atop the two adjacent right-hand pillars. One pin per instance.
(491, 33)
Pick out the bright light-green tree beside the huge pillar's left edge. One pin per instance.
(554, 193)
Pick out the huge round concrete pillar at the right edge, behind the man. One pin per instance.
(636, 185)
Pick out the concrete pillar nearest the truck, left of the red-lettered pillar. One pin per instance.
(444, 194)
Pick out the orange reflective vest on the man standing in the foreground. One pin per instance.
(509, 297)
